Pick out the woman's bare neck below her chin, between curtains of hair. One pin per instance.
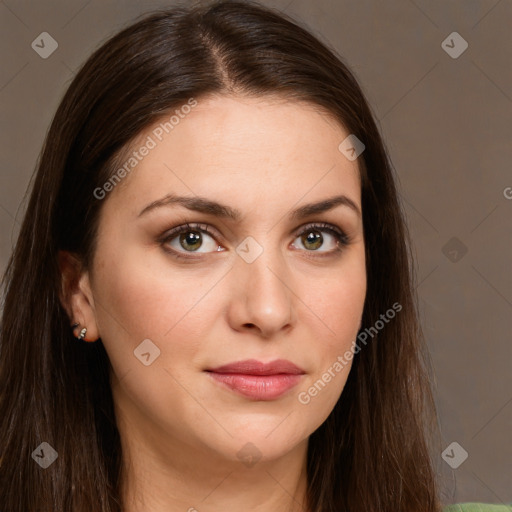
(179, 480)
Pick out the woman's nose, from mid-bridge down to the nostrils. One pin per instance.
(262, 300)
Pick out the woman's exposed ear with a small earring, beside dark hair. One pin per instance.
(76, 295)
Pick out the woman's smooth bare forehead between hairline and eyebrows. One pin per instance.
(252, 146)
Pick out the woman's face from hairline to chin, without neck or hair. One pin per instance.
(179, 289)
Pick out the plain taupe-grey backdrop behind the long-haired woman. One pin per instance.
(447, 123)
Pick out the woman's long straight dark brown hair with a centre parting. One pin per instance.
(373, 452)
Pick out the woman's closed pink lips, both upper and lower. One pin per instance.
(257, 380)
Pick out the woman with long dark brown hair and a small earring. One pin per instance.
(210, 305)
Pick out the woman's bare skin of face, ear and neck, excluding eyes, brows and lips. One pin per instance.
(181, 431)
